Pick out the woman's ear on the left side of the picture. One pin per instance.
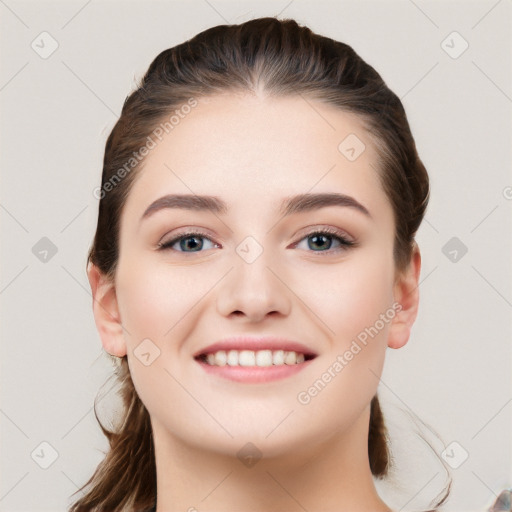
(106, 312)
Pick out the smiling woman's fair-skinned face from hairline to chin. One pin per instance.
(257, 269)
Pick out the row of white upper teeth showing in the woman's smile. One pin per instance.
(251, 358)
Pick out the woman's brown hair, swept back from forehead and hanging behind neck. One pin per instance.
(282, 58)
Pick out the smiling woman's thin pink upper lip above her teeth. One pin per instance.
(256, 343)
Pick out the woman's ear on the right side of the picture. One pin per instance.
(406, 293)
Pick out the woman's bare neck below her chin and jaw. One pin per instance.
(331, 475)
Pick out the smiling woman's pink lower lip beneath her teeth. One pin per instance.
(252, 374)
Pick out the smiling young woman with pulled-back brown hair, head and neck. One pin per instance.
(253, 260)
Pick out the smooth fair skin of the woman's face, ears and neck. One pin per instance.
(252, 151)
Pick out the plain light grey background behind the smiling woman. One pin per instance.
(56, 113)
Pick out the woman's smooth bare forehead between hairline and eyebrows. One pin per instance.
(261, 149)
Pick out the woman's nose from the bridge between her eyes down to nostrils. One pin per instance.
(252, 287)
